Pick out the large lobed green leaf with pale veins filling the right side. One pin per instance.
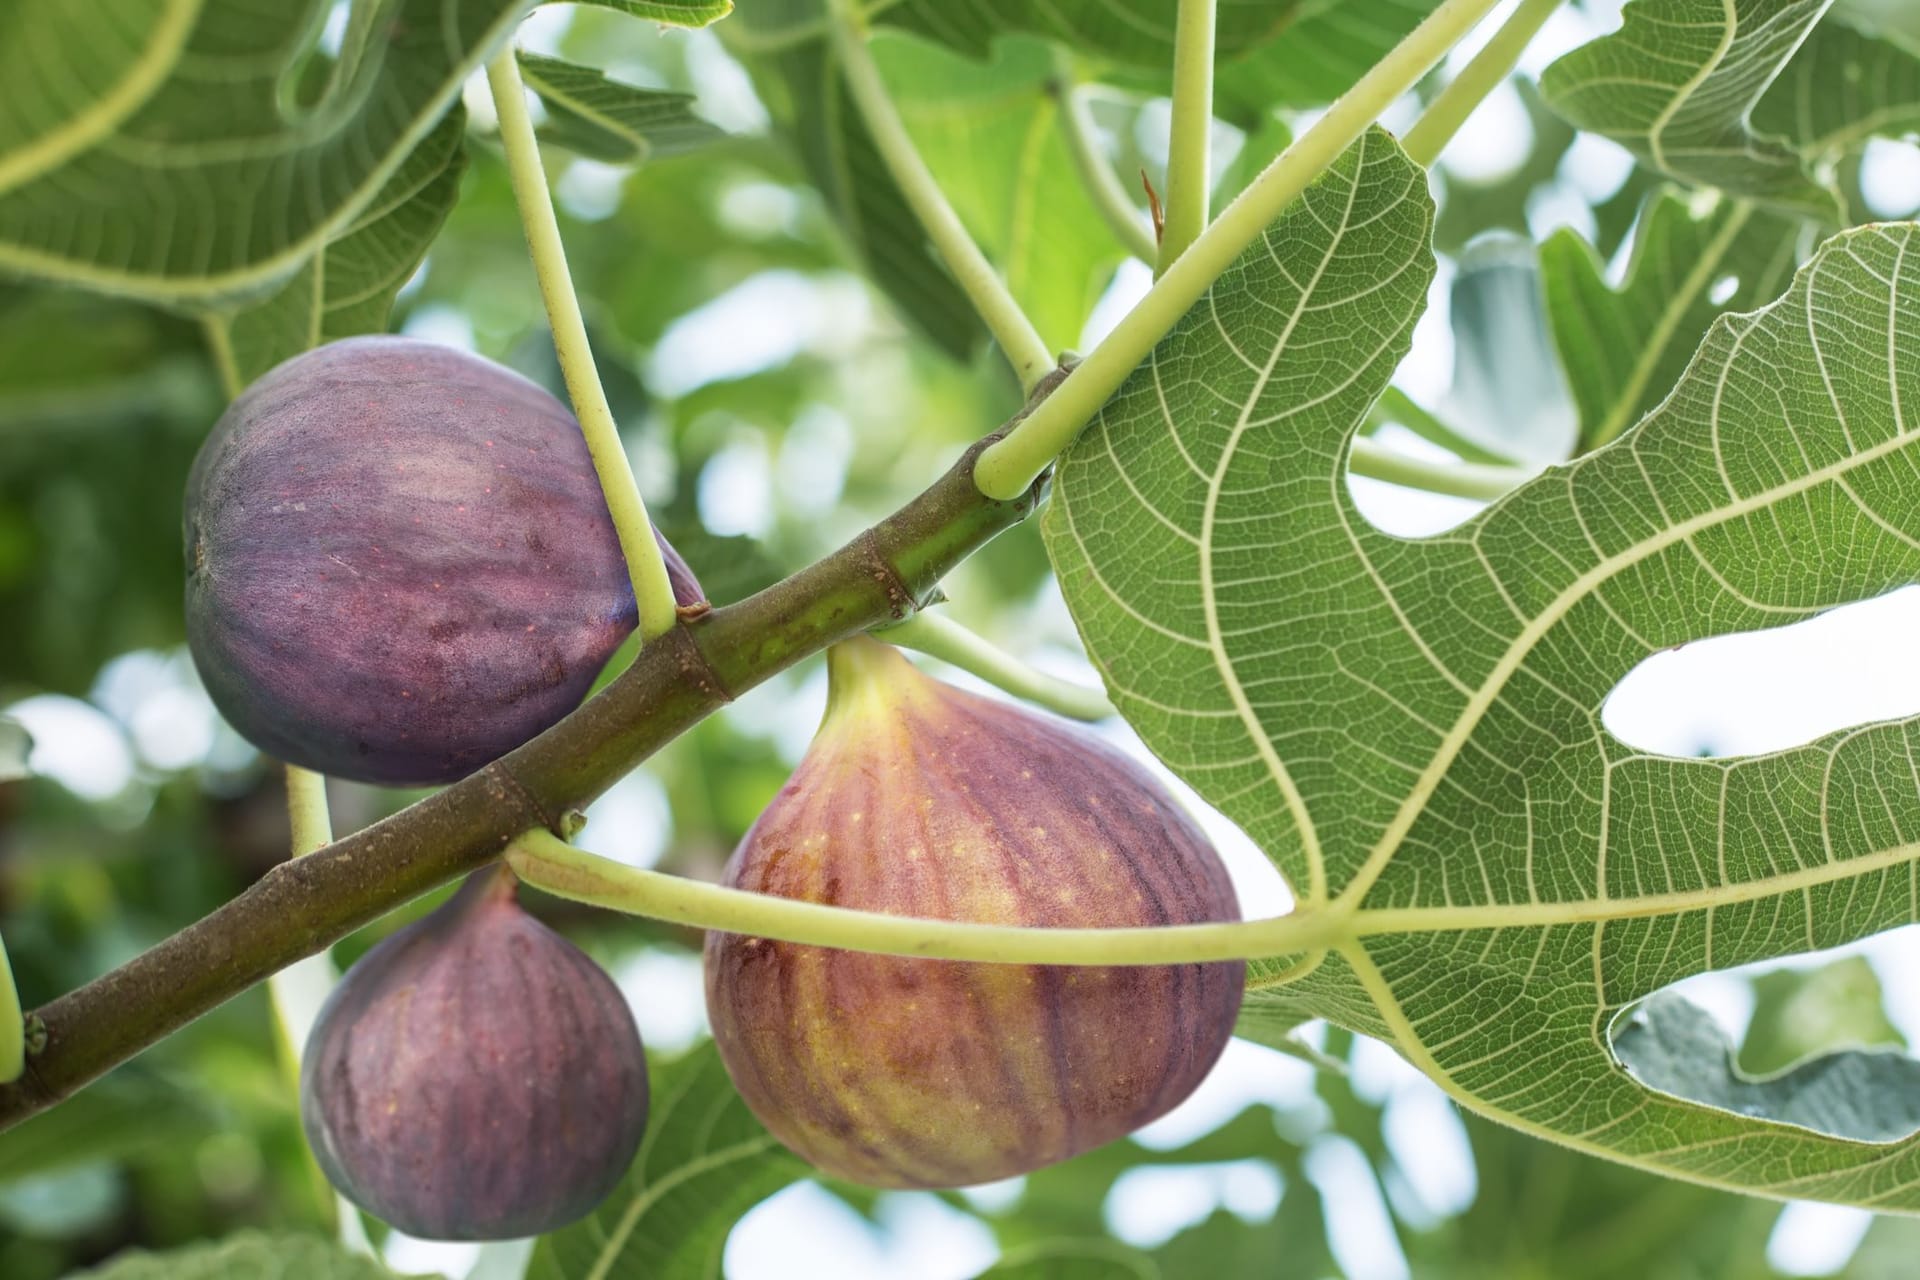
(1412, 728)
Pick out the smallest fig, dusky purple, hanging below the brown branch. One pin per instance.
(475, 1076)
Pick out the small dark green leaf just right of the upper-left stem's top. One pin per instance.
(606, 120)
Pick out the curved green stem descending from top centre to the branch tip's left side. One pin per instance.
(996, 304)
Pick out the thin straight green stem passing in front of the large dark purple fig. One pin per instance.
(654, 592)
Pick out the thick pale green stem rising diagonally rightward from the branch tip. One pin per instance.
(1030, 448)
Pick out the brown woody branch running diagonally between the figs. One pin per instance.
(677, 680)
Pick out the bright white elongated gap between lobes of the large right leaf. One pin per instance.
(1758, 692)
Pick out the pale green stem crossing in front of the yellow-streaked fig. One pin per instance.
(544, 861)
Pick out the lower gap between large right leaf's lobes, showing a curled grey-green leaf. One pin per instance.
(1817, 1043)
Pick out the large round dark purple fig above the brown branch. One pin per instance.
(400, 563)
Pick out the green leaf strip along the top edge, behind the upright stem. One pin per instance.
(1128, 32)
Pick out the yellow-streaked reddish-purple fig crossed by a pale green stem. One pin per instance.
(921, 799)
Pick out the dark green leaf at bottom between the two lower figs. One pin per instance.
(704, 1164)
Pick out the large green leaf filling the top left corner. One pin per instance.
(197, 153)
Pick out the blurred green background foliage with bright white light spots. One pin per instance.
(788, 366)
